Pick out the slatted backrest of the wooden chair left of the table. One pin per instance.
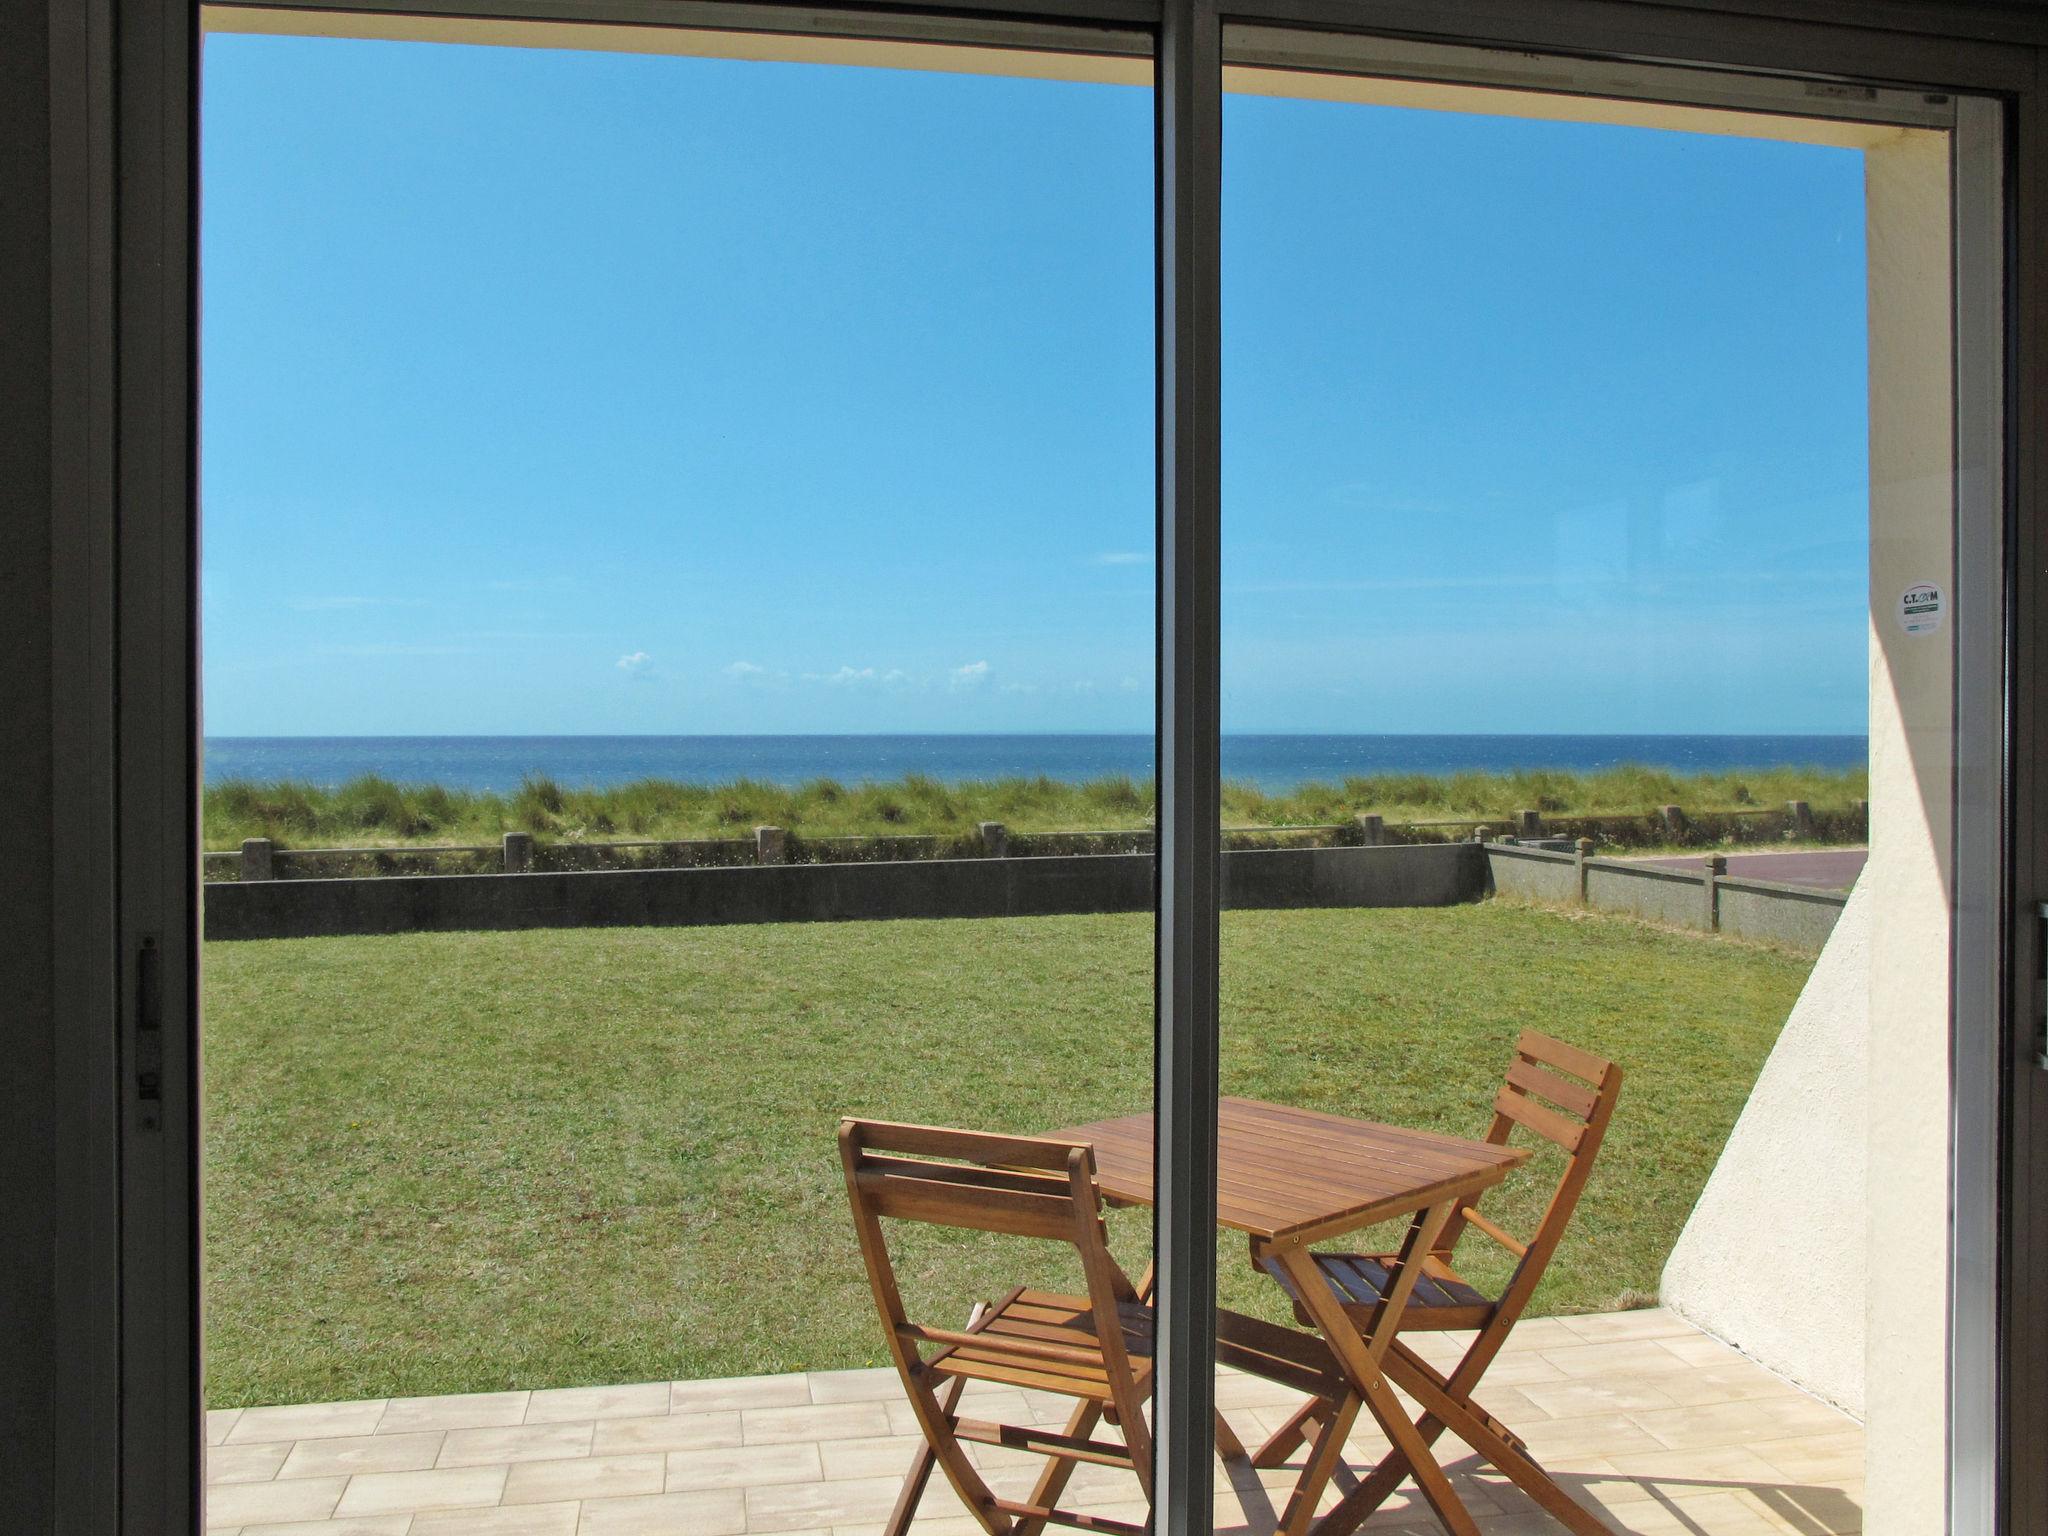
(1021, 1187)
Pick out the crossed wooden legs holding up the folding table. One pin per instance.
(1361, 1357)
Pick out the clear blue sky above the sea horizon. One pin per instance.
(603, 394)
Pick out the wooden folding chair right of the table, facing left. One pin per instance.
(1566, 1097)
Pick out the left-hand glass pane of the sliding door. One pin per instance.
(679, 673)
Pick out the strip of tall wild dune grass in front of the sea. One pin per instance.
(380, 812)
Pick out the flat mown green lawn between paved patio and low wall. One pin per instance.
(470, 1162)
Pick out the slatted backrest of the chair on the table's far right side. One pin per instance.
(1566, 1097)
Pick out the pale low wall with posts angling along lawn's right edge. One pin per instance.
(1703, 898)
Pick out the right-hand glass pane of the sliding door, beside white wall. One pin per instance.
(1584, 585)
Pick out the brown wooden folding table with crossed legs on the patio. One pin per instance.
(1289, 1179)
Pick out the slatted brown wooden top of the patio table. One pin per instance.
(1287, 1175)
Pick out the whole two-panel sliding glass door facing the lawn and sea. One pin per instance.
(1531, 744)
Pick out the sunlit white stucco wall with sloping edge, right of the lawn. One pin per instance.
(1787, 1197)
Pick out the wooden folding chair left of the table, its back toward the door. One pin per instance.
(1093, 1349)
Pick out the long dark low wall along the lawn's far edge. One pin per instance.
(1426, 876)
